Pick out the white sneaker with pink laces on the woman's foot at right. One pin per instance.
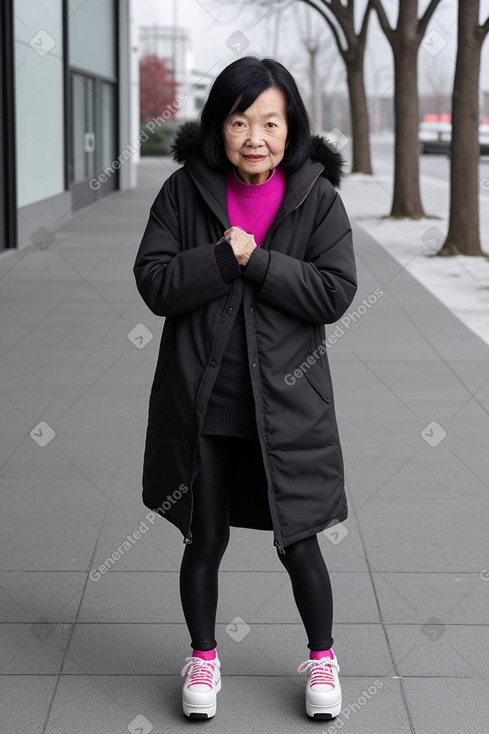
(323, 690)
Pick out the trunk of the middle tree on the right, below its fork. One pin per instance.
(406, 201)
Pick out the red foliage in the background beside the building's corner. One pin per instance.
(157, 87)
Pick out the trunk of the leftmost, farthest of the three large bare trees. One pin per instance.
(360, 125)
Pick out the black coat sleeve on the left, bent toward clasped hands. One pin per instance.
(170, 280)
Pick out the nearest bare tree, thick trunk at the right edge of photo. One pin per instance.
(463, 236)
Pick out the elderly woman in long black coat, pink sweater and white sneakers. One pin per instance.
(248, 253)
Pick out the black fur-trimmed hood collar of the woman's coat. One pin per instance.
(187, 146)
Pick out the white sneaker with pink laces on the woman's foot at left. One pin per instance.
(201, 685)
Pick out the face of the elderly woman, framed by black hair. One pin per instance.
(254, 140)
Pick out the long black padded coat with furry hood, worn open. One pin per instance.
(302, 277)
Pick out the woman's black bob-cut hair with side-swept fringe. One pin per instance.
(249, 77)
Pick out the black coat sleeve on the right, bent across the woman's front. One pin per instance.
(320, 288)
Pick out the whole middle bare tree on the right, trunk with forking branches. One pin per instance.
(405, 40)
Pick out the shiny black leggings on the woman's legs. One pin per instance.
(303, 560)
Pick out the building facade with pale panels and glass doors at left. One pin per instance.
(67, 110)
